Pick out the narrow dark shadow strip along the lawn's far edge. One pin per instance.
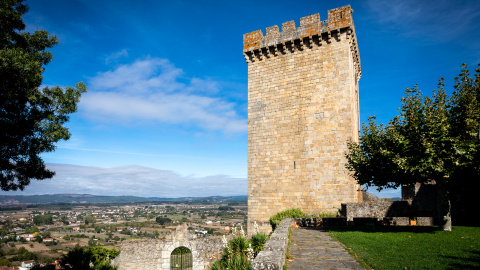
(382, 229)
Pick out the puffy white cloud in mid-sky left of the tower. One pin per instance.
(154, 89)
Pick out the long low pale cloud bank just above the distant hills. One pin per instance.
(132, 180)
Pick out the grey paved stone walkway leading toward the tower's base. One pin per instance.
(312, 248)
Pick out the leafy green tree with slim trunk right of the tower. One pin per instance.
(433, 138)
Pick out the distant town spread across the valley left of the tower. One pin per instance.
(42, 233)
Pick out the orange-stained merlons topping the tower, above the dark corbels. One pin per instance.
(310, 26)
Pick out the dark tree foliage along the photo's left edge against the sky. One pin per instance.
(32, 118)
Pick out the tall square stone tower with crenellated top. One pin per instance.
(302, 110)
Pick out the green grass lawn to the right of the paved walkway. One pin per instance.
(385, 247)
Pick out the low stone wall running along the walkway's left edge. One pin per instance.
(273, 255)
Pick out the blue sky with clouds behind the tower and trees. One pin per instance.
(166, 109)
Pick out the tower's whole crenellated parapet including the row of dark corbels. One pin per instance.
(312, 32)
